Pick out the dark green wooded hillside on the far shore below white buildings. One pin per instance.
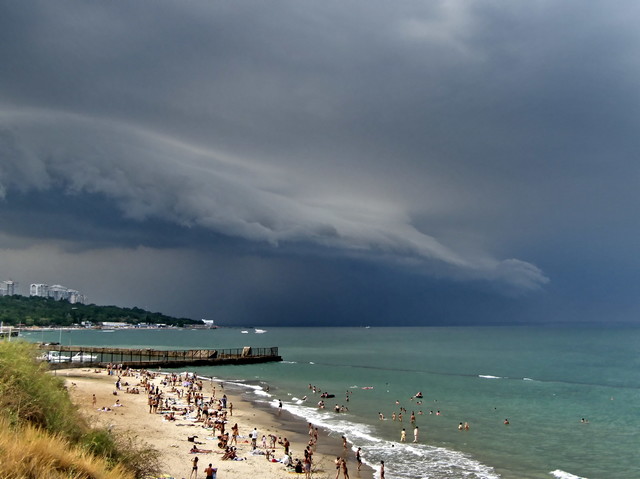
(37, 311)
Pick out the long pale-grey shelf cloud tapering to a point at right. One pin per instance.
(150, 176)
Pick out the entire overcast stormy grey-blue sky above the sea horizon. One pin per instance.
(321, 163)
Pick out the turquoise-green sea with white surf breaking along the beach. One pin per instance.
(543, 379)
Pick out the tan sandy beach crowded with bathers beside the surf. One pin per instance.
(171, 437)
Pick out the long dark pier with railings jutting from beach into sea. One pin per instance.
(63, 357)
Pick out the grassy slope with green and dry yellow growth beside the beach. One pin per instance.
(43, 435)
